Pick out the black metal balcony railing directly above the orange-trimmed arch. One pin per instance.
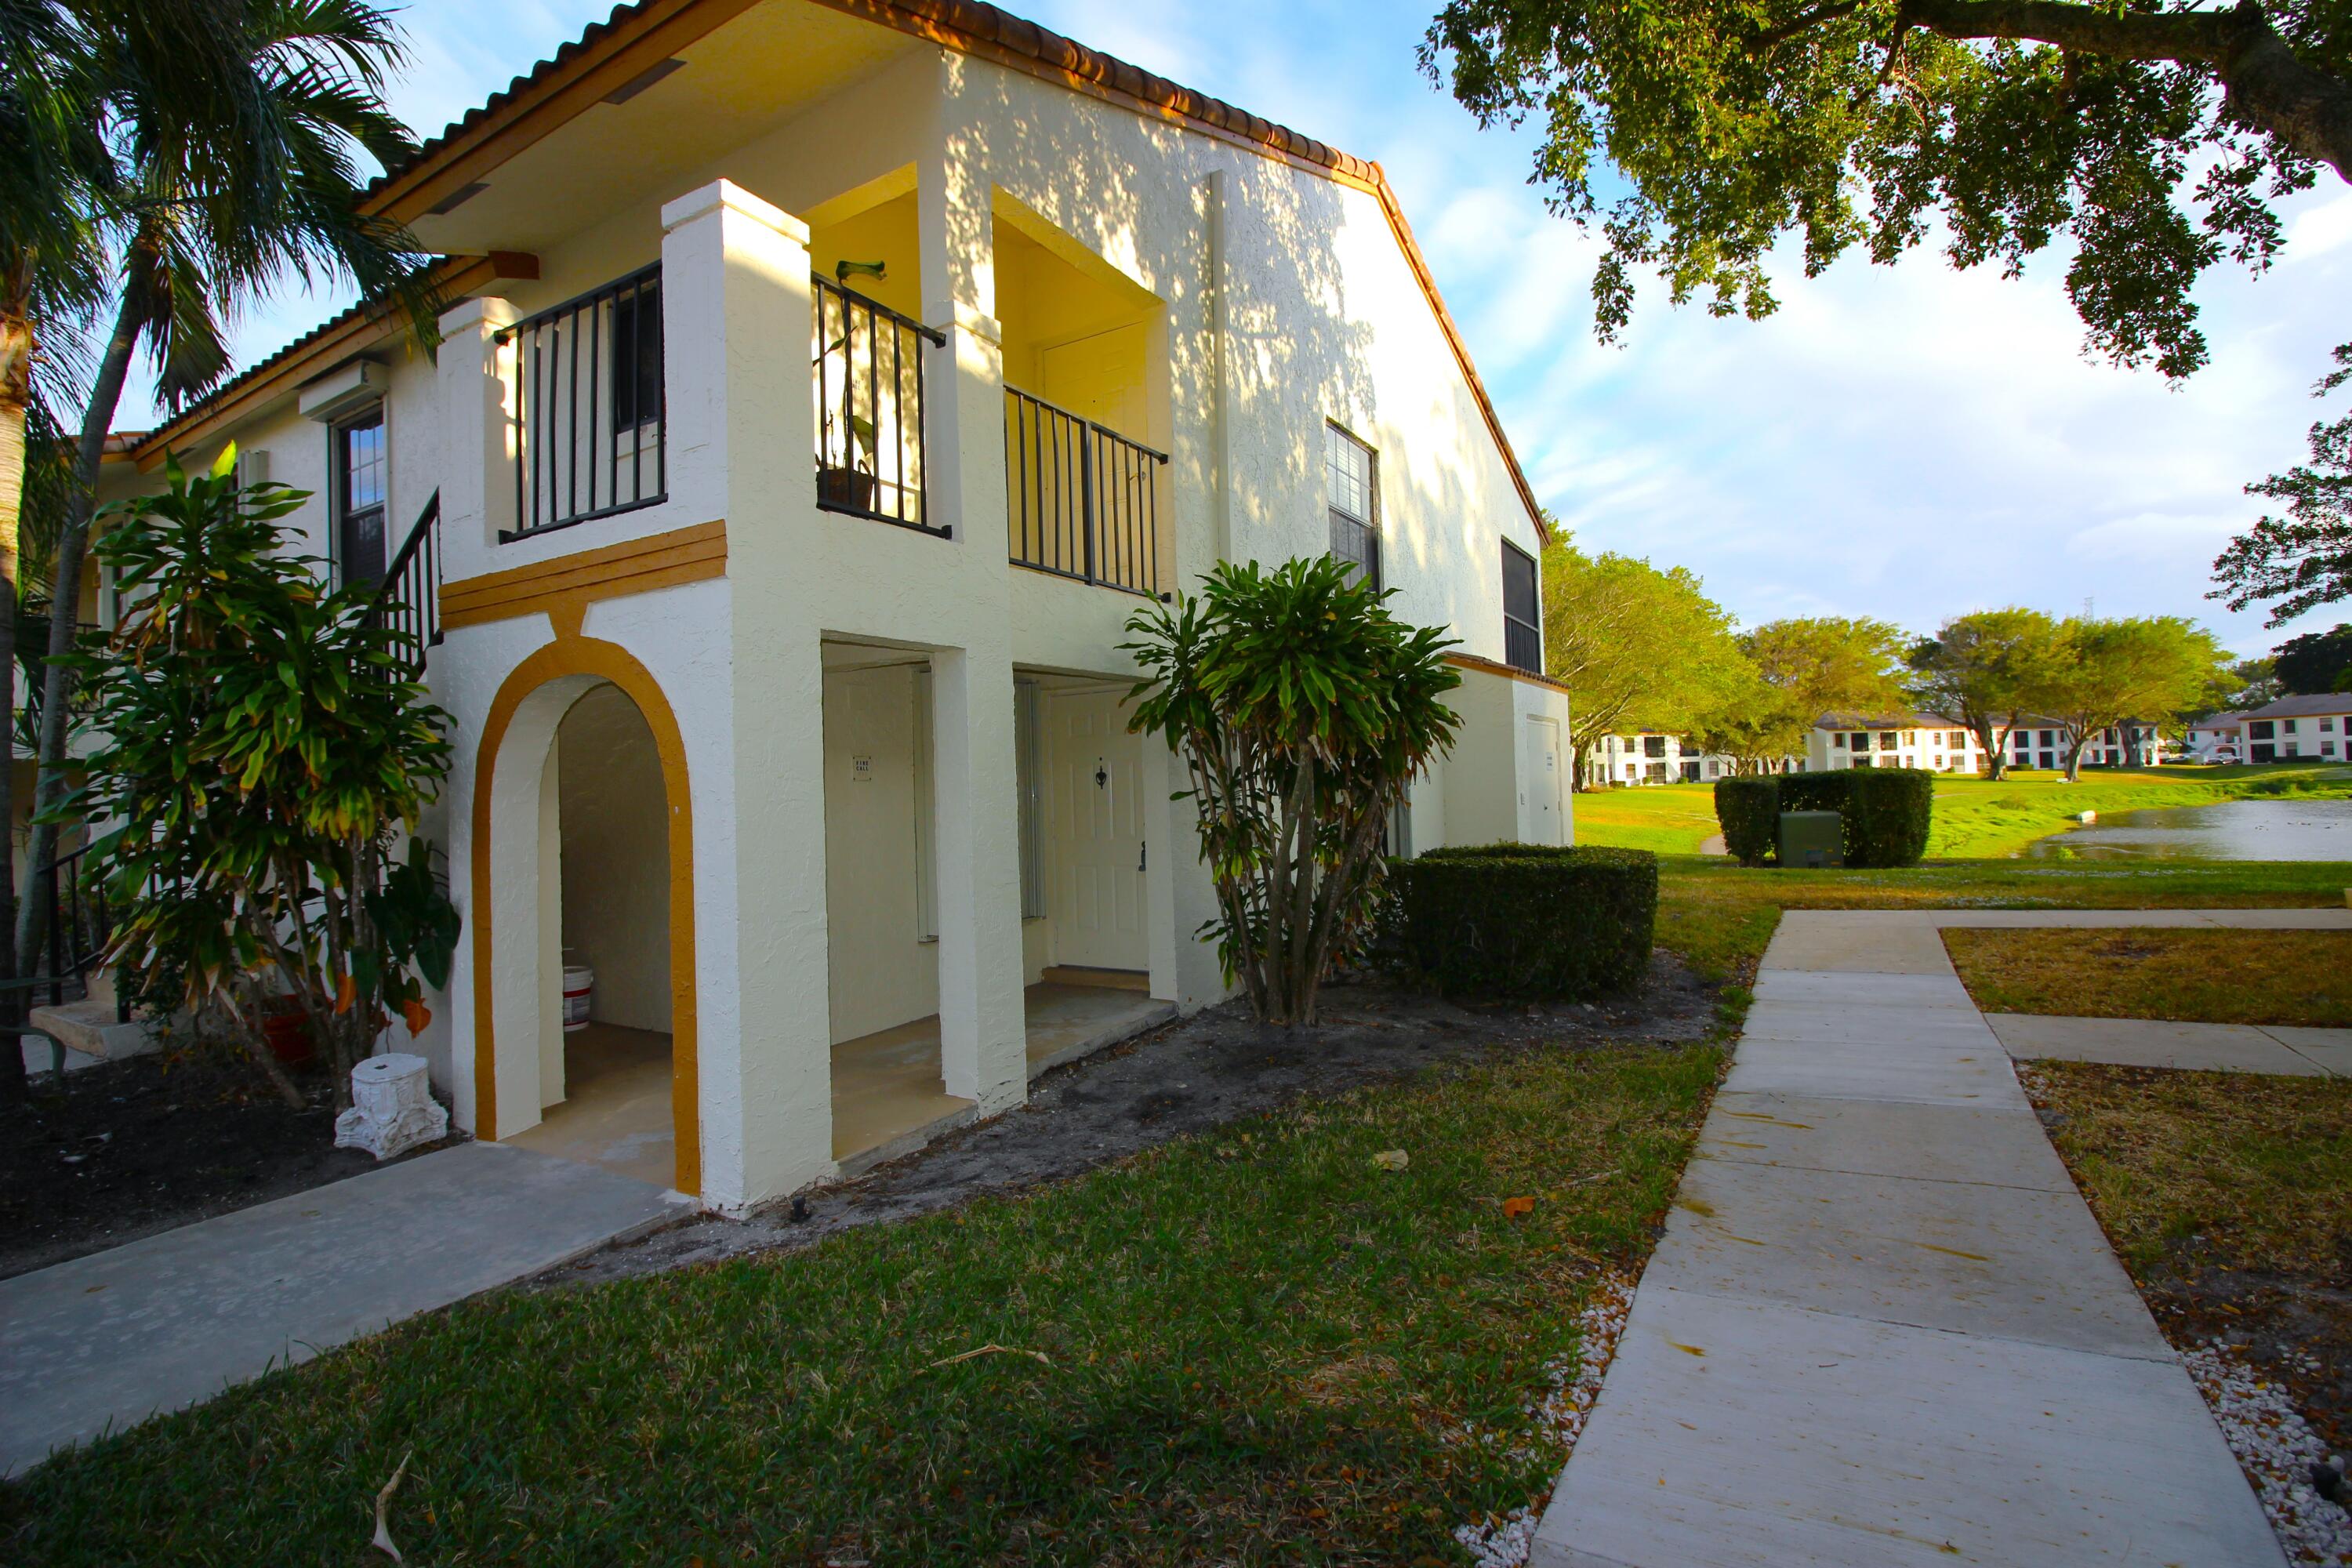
(592, 413)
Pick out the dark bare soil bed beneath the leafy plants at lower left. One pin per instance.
(152, 1144)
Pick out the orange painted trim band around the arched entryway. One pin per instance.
(610, 662)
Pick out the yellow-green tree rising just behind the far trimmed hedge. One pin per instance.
(1808, 666)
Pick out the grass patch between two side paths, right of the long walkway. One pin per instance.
(2189, 977)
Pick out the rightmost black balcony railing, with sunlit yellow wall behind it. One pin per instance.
(1083, 500)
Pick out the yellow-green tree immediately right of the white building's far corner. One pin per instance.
(1636, 645)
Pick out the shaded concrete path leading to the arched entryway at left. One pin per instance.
(107, 1341)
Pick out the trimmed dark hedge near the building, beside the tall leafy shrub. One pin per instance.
(1525, 923)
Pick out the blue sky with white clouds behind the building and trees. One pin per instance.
(1902, 443)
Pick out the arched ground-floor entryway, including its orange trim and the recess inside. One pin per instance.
(584, 840)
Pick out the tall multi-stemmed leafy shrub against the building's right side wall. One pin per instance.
(1302, 711)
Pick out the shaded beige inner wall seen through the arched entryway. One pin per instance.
(615, 859)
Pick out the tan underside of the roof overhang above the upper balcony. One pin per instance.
(737, 83)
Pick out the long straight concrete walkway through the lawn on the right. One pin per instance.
(1883, 1327)
